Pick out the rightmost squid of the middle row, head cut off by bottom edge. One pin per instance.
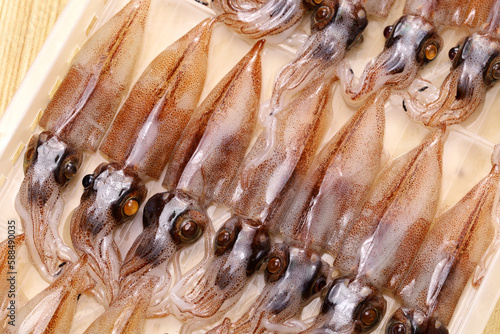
(454, 249)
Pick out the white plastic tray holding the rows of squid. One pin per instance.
(466, 156)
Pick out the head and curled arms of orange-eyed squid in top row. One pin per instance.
(410, 43)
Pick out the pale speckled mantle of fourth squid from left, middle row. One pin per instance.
(282, 152)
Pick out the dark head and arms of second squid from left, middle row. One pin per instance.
(101, 209)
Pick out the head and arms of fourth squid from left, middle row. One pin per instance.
(240, 247)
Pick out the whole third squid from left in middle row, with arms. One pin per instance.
(223, 127)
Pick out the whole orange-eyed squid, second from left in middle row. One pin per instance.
(159, 104)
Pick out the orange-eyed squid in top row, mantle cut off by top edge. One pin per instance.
(411, 43)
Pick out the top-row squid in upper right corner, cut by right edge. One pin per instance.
(475, 69)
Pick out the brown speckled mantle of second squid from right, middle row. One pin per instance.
(396, 216)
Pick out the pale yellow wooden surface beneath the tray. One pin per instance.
(24, 25)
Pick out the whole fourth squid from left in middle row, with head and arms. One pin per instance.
(276, 161)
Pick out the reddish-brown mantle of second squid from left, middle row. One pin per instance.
(161, 104)
